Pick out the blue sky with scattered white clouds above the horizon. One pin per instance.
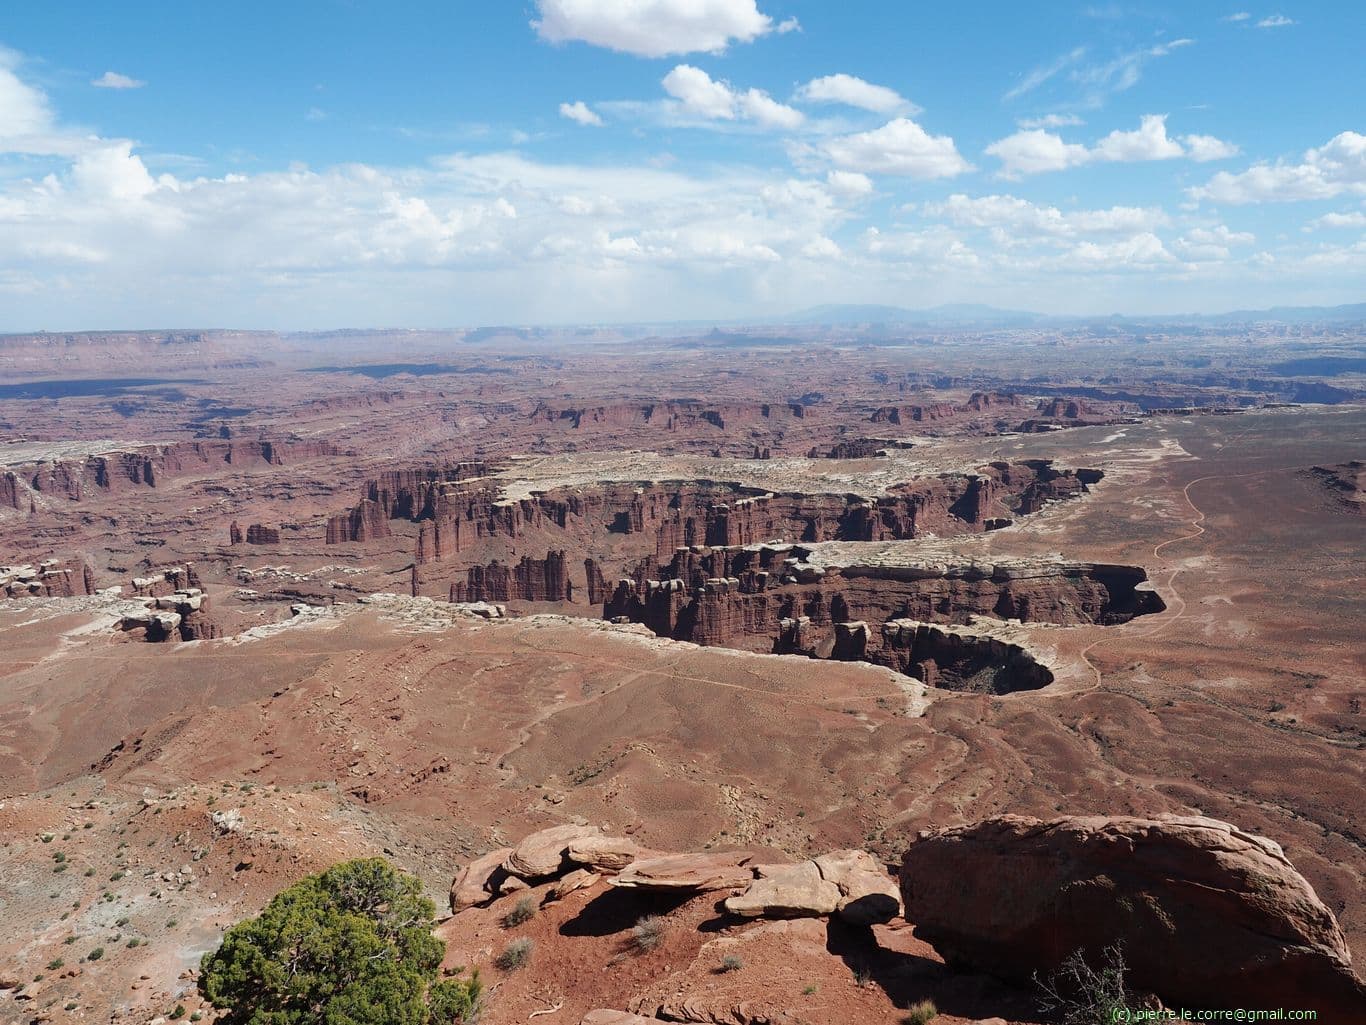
(320, 165)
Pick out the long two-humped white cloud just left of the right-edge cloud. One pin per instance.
(1036, 151)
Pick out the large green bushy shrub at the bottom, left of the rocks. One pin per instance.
(350, 945)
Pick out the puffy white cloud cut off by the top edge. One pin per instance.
(654, 28)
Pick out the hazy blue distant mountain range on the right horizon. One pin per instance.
(977, 315)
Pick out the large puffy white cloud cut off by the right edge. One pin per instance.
(1331, 170)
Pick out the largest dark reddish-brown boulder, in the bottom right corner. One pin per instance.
(1208, 916)
